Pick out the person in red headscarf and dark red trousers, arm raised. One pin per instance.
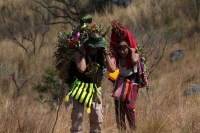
(131, 76)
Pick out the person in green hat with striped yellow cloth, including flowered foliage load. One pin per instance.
(82, 63)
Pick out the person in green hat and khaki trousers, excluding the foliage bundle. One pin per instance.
(90, 60)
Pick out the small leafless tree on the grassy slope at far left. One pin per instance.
(24, 29)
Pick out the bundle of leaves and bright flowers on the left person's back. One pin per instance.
(67, 44)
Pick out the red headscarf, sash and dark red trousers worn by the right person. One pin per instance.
(124, 107)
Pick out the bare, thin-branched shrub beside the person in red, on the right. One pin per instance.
(155, 46)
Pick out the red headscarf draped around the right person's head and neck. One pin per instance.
(113, 45)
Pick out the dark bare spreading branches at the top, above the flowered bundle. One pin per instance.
(65, 11)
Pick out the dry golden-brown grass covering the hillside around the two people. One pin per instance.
(165, 110)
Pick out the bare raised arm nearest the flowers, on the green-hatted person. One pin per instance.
(79, 57)
